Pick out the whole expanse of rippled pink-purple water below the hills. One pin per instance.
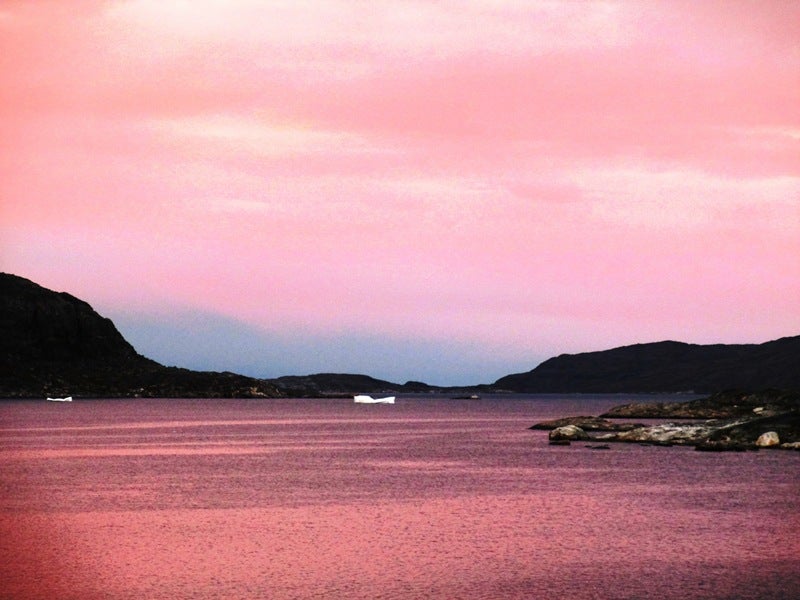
(429, 498)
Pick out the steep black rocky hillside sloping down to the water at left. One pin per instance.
(54, 344)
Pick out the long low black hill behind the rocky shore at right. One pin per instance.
(666, 367)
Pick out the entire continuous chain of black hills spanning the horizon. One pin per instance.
(52, 344)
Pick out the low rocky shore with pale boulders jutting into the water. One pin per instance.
(726, 421)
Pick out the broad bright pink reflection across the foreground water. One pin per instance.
(479, 547)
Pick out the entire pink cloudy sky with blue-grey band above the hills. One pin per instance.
(446, 191)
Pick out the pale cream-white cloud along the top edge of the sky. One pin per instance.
(407, 29)
